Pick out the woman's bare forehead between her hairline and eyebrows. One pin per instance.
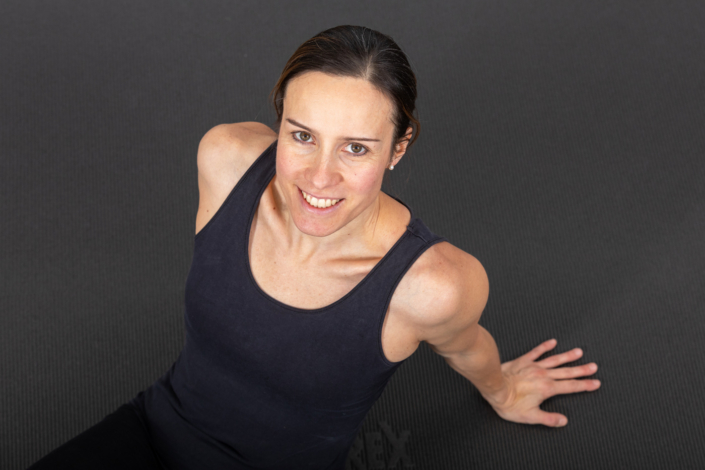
(338, 105)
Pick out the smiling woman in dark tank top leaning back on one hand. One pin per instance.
(309, 286)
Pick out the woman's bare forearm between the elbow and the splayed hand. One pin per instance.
(481, 365)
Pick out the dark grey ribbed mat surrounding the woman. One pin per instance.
(562, 145)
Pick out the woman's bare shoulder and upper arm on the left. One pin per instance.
(224, 155)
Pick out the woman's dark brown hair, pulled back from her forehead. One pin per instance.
(360, 52)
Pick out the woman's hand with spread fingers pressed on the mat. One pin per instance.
(530, 383)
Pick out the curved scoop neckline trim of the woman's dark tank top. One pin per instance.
(358, 286)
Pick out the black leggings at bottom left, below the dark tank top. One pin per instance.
(119, 442)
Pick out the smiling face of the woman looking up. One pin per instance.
(335, 142)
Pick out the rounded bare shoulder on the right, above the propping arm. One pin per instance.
(444, 292)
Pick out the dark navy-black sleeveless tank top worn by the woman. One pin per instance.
(260, 384)
